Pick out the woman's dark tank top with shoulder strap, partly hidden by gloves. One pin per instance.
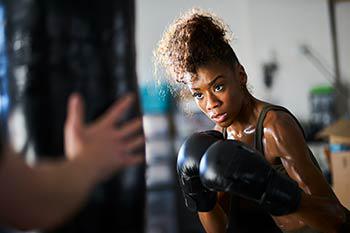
(247, 216)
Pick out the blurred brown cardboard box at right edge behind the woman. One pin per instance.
(339, 139)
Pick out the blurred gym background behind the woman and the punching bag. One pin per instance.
(296, 54)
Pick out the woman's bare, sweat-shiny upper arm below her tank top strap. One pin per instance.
(283, 138)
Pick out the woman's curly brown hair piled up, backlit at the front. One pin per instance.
(194, 39)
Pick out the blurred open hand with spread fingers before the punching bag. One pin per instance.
(109, 148)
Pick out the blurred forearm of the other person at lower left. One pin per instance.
(43, 196)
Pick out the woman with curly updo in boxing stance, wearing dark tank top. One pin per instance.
(195, 51)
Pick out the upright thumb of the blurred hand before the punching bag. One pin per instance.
(75, 112)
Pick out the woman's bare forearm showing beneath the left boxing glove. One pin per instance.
(214, 221)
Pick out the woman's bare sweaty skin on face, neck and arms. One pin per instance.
(220, 92)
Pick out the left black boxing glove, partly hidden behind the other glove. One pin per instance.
(197, 197)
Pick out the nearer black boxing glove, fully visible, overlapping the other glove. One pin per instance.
(232, 166)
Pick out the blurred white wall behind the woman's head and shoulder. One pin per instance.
(261, 28)
